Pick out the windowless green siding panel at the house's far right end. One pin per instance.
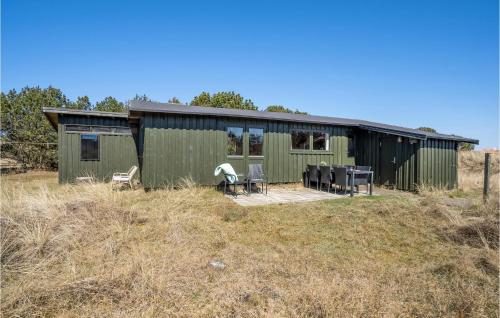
(437, 163)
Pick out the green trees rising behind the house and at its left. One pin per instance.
(26, 135)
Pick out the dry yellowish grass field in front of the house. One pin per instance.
(73, 251)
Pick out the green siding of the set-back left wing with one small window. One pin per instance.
(117, 153)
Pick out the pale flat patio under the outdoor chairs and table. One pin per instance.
(277, 196)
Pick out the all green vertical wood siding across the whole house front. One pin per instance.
(168, 148)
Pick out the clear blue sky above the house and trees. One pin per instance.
(409, 63)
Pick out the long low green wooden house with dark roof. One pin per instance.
(172, 141)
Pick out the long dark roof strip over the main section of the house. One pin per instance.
(138, 107)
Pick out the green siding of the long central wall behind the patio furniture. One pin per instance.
(178, 146)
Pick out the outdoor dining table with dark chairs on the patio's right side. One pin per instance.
(339, 176)
